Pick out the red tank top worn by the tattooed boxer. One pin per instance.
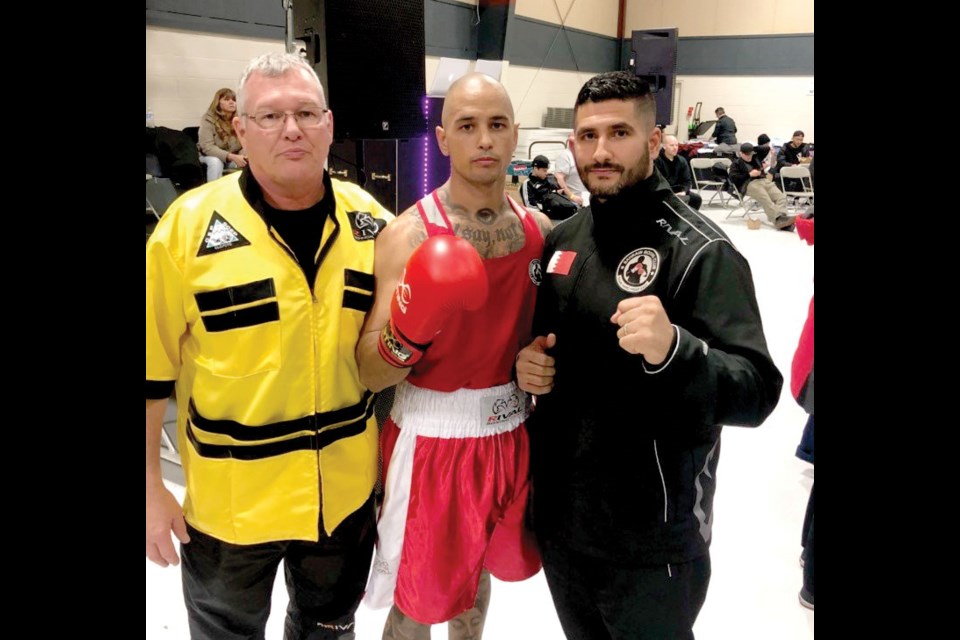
(476, 349)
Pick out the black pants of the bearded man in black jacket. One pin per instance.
(599, 600)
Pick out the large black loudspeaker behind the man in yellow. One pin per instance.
(369, 55)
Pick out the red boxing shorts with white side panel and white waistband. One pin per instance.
(456, 483)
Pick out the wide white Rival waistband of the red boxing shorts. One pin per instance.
(464, 413)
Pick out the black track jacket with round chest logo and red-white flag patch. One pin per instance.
(624, 454)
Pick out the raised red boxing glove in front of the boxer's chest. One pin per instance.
(444, 275)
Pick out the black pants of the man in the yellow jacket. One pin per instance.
(227, 587)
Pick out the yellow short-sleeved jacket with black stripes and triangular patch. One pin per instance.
(271, 411)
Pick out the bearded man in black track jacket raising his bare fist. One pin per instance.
(646, 303)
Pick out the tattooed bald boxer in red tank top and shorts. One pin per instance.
(456, 278)
